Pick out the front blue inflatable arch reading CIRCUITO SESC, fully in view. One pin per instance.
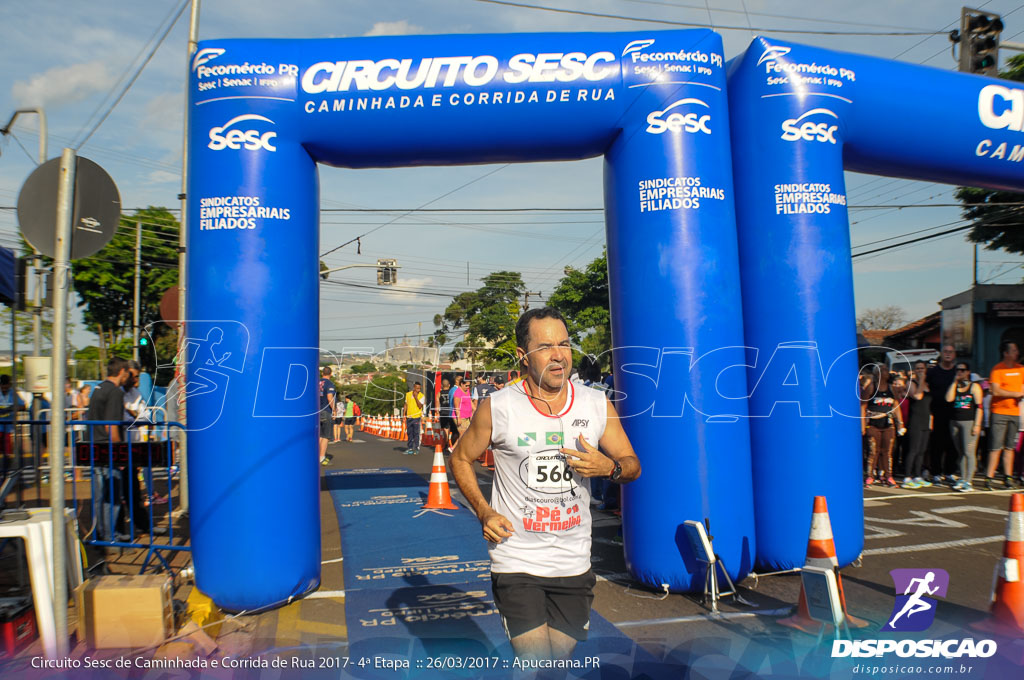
(264, 113)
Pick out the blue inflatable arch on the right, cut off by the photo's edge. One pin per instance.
(800, 116)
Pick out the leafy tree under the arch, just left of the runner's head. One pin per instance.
(487, 317)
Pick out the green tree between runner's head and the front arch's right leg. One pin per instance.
(582, 296)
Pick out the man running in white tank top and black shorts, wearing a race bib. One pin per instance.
(549, 438)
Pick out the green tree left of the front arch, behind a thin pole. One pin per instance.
(106, 282)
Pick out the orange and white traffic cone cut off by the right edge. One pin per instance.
(1007, 615)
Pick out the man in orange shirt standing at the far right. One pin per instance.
(1007, 382)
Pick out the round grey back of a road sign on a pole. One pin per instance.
(97, 211)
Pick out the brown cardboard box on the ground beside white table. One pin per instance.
(125, 612)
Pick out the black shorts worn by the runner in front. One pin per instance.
(527, 603)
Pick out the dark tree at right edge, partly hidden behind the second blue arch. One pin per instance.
(997, 226)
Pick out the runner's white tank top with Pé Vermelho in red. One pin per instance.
(547, 503)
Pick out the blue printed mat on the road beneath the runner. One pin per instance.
(418, 590)
